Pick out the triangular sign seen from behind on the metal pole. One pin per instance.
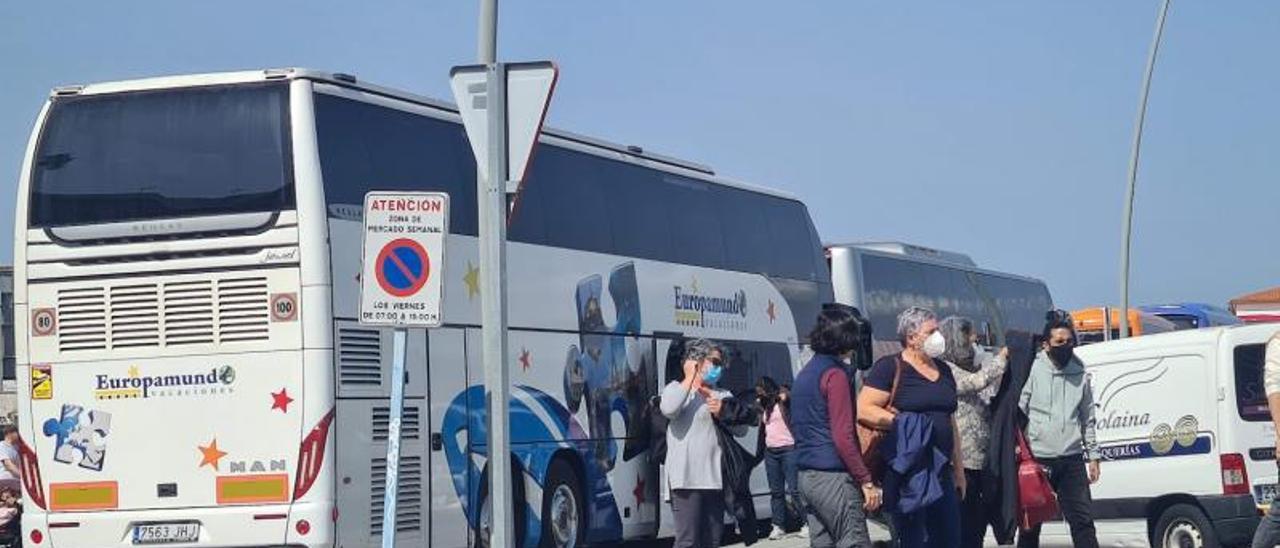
(529, 92)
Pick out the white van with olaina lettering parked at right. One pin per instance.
(1186, 435)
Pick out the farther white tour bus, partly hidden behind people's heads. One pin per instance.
(884, 280)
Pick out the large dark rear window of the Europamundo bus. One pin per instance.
(163, 156)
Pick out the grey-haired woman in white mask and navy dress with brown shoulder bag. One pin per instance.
(913, 398)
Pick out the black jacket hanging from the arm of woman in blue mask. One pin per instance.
(737, 464)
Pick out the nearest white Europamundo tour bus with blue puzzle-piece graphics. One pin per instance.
(191, 369)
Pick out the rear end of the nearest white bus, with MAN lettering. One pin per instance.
(166, 394)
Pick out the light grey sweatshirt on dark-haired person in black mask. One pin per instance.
(1059, 408)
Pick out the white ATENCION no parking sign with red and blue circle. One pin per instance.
(400, 281)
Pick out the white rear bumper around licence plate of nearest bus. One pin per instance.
(305, 524)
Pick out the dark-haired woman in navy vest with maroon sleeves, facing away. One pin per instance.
(834, 482)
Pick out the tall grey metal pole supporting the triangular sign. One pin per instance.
(492, 200)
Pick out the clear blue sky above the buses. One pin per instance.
(999, 129)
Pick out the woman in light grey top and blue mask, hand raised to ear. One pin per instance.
(694, 456)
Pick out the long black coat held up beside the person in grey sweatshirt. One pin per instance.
(1000, 477)
